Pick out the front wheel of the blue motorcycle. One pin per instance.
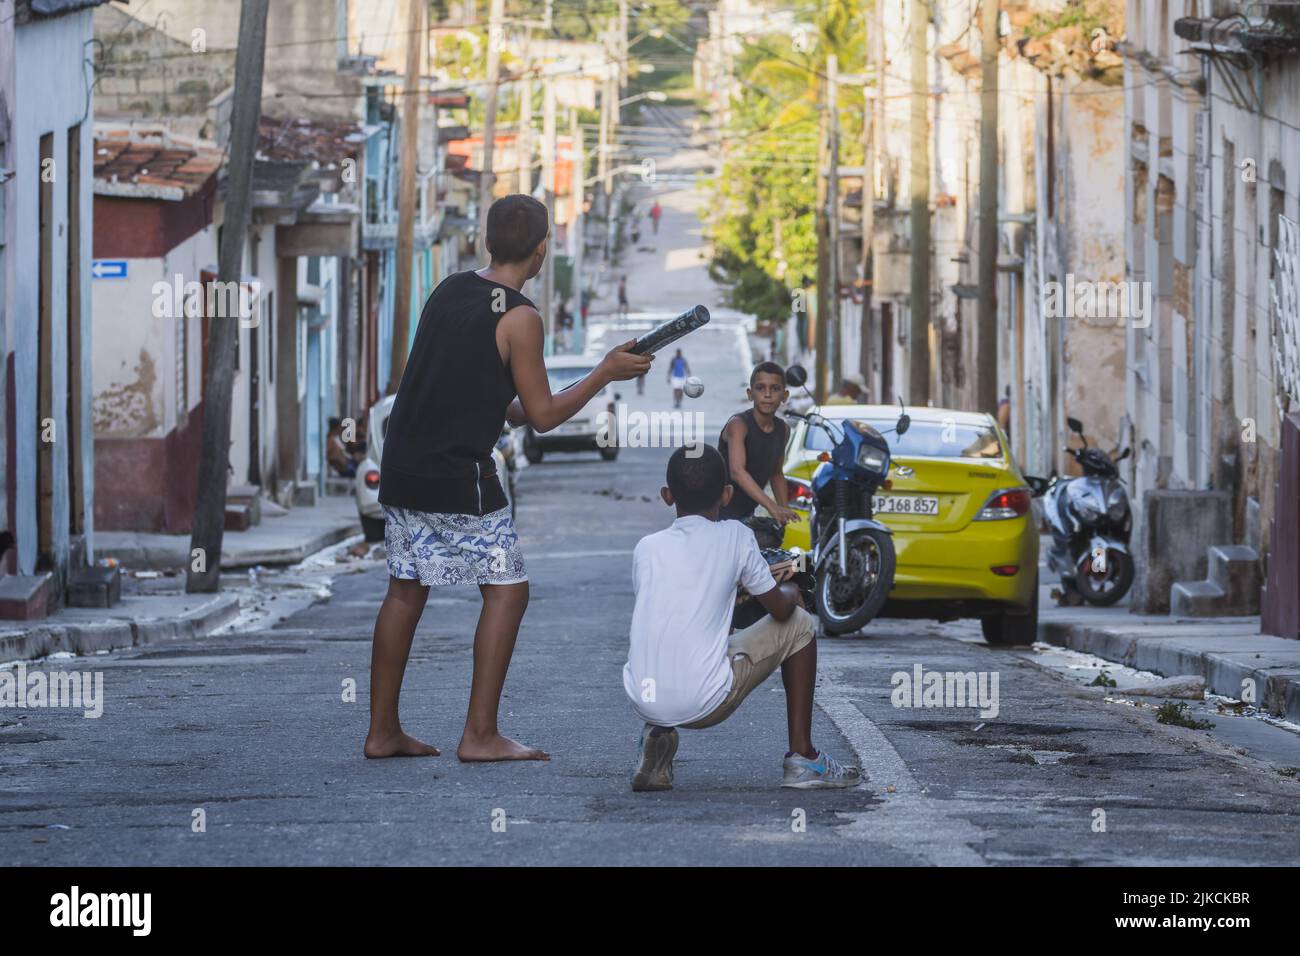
(848, 603)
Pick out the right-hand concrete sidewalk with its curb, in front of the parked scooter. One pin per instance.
(1228, 652)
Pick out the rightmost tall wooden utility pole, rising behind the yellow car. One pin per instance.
(986, 344)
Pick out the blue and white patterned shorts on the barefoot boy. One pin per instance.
(453, 550)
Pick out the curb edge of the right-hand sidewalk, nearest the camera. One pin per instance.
(1225, 672)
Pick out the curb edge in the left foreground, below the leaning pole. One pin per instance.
(112, 635)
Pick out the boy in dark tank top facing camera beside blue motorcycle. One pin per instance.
(753, 445)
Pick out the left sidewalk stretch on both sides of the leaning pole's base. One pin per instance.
(279, 540)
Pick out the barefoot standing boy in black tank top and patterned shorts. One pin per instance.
(476, 362)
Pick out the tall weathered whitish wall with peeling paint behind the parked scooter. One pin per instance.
(1202, 380)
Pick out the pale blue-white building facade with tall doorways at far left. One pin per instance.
(46, 228)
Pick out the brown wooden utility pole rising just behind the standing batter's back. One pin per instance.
(401, 344)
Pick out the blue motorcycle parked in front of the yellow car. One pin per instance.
(853, 555)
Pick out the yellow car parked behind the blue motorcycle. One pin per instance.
(964, 533)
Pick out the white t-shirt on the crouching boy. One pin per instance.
(686, 579)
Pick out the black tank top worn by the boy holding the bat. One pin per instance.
(452, 403)
